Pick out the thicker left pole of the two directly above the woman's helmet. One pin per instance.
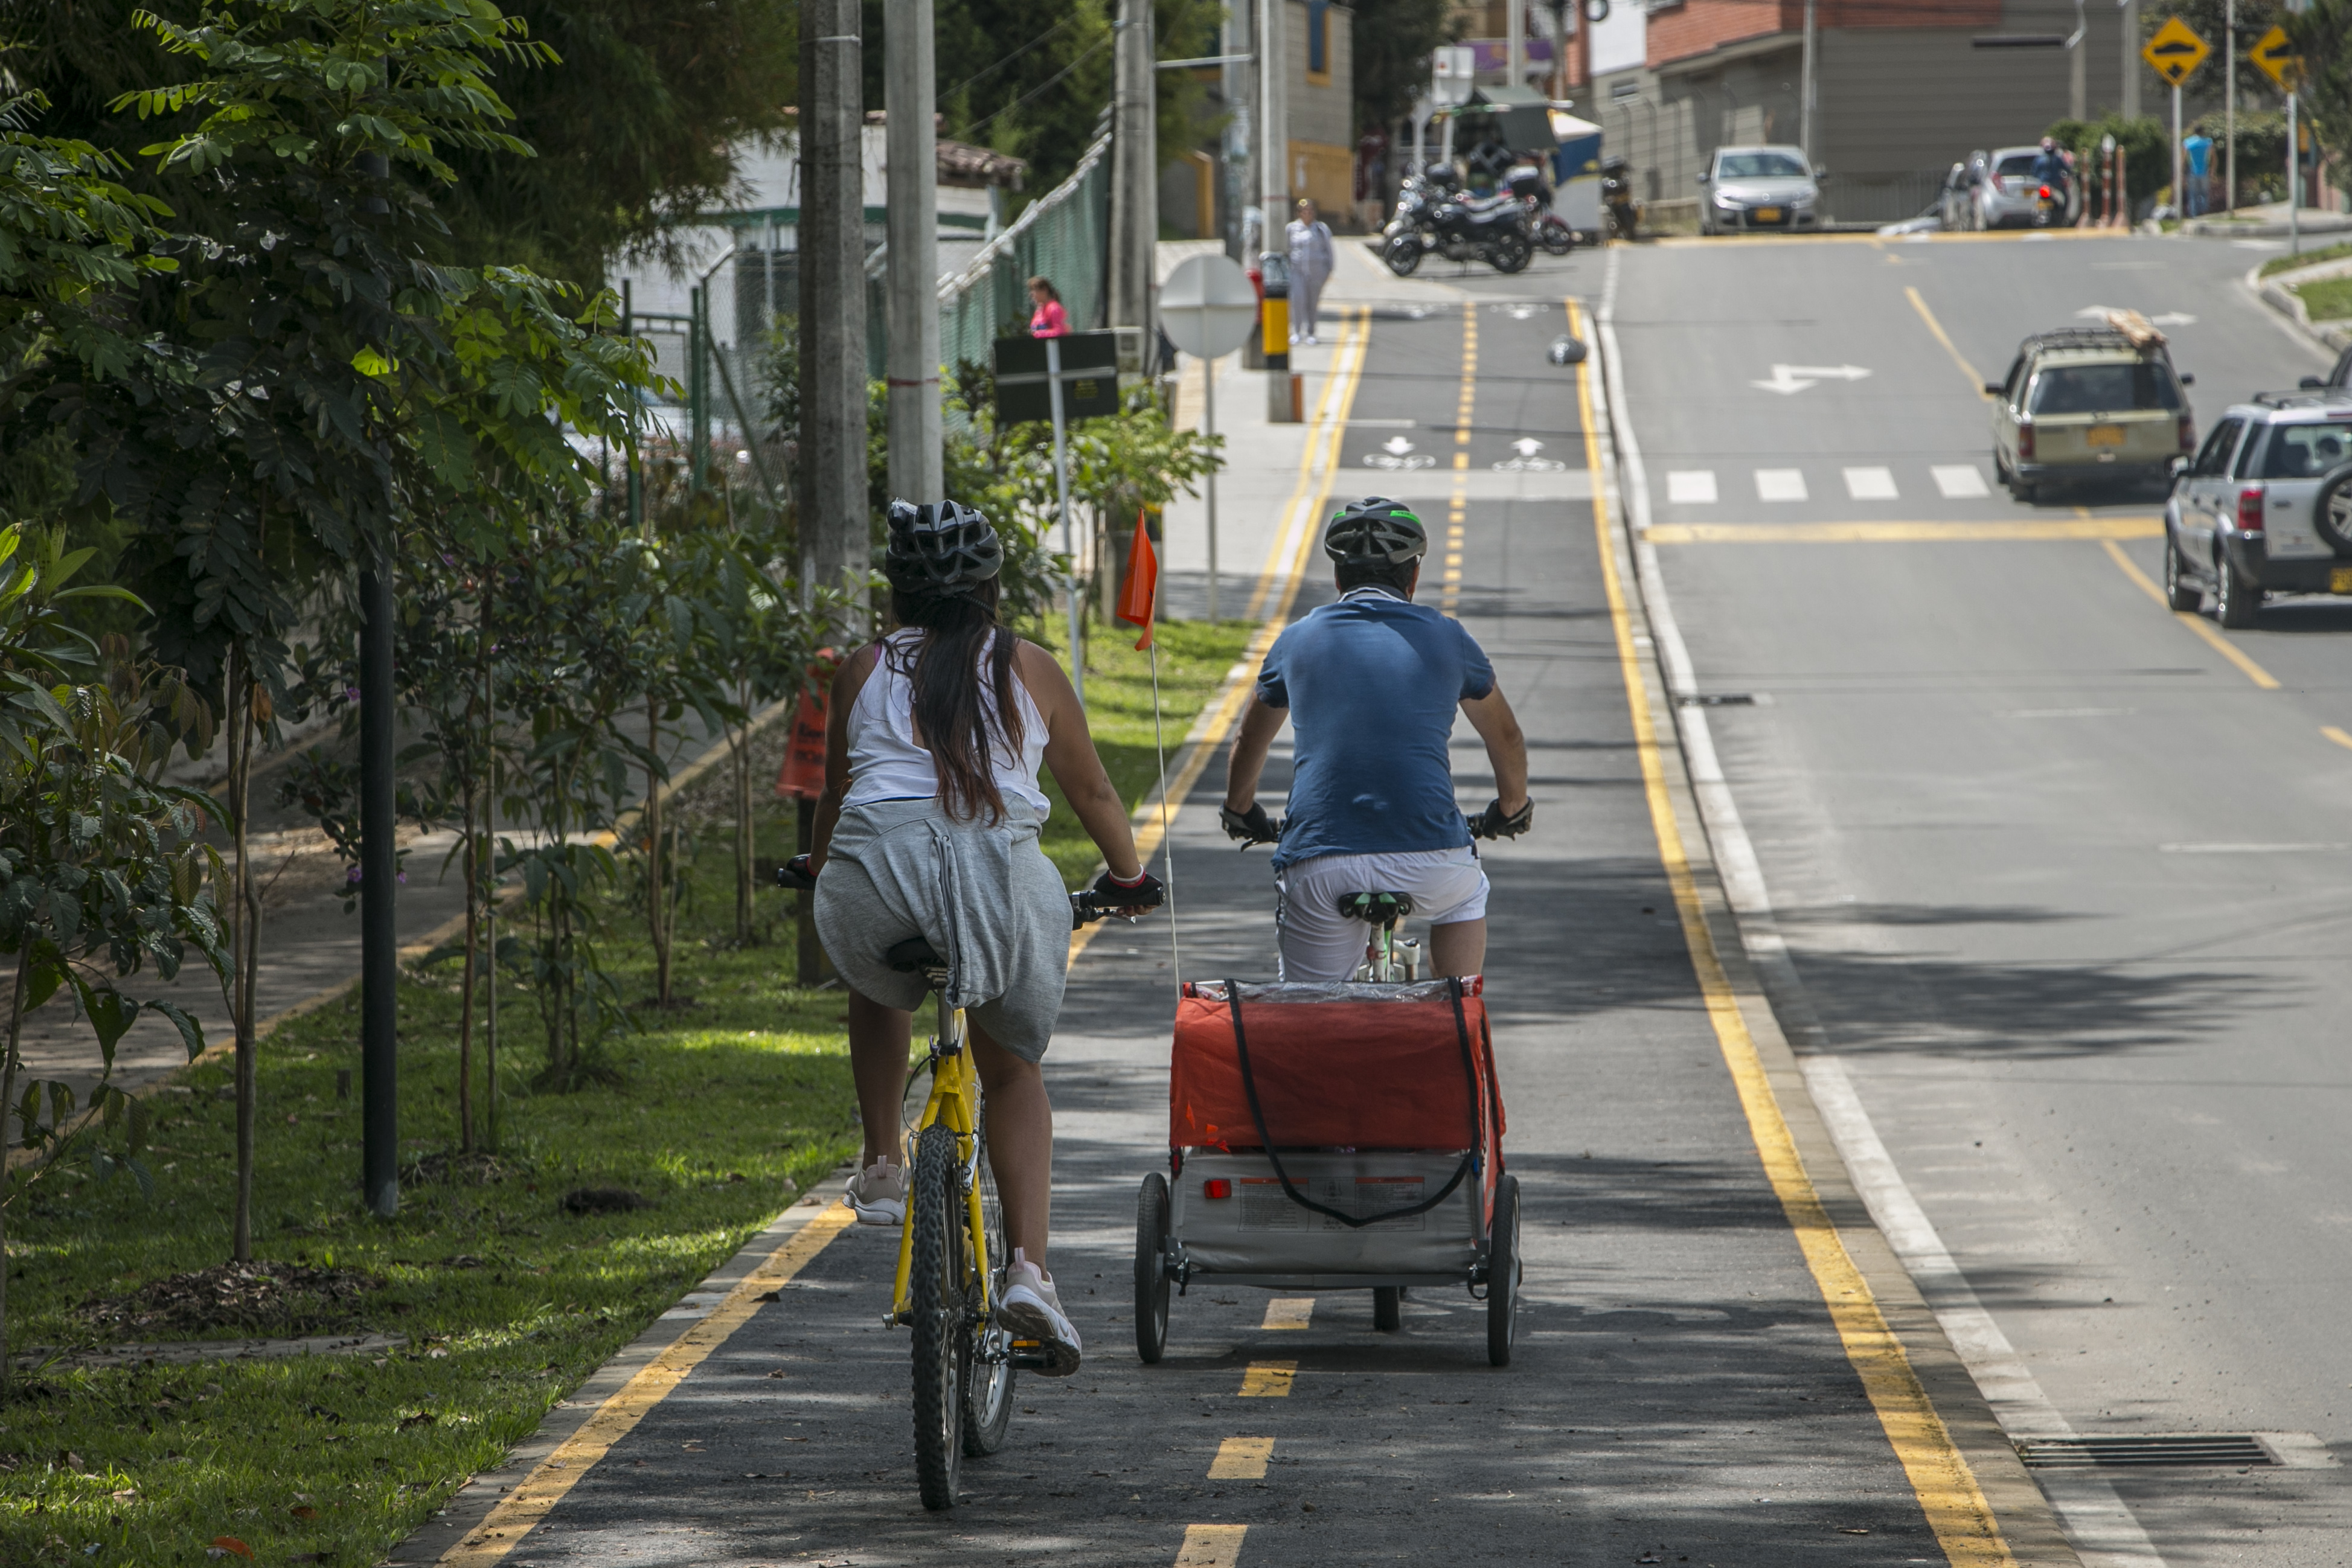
(834, 549)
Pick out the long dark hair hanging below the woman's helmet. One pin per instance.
(951, 721)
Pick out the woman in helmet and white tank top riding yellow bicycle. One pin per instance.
(930, 829)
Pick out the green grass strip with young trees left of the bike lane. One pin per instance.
(507, 1299)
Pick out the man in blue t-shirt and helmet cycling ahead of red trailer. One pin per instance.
(1372, 685)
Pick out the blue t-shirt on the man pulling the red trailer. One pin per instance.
(1372, 685)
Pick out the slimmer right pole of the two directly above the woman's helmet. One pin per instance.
(909, 76)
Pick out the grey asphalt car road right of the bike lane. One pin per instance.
(2062, 880)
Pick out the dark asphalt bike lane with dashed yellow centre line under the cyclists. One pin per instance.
(1681, 1391)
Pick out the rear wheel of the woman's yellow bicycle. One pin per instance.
(940, 1301)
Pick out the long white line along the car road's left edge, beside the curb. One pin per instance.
(2092, 1513)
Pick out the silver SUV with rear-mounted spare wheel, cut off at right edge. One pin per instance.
(2266, 507)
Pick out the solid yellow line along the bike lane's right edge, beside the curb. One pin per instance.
(1939, 1473)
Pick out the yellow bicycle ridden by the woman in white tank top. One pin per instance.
(951, 1254)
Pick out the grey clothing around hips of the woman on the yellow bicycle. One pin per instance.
(982, 894)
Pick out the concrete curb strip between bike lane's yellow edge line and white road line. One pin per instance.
(2026, 1517)
